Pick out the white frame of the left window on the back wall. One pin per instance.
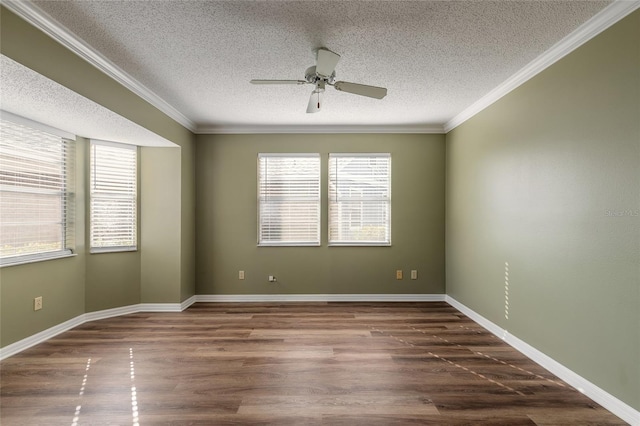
(317, 200)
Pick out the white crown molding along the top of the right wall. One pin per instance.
(585, 32)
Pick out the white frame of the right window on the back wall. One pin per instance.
(332, 241)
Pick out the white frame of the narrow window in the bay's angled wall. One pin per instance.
(94, 195)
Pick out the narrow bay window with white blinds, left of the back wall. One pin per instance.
(113, 192)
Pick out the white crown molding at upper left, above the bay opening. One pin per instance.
(45, 23)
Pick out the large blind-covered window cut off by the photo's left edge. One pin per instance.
(36, 192)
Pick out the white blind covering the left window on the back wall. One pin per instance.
(289, 199)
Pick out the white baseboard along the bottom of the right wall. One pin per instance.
(608, 401)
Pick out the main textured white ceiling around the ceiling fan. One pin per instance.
(435, 57)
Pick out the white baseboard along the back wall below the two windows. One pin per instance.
(240, 298)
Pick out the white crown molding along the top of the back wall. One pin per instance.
(248, 129)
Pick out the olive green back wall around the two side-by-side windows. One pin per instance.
(226, 218)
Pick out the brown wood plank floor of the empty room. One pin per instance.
(297, 363)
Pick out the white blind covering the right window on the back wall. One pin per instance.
(360, 199)
